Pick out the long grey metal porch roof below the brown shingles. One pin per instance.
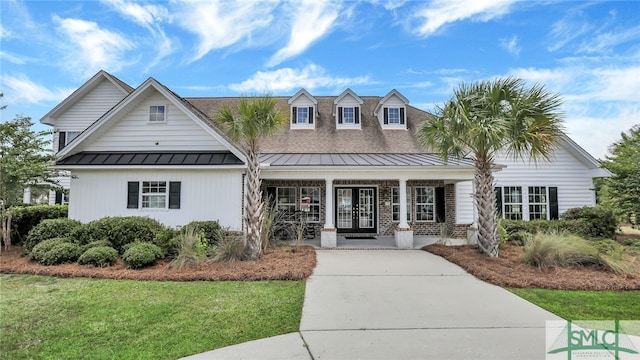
(288, 159)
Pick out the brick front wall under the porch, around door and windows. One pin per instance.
(385, 225)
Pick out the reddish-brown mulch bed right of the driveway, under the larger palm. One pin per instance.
(509, 271)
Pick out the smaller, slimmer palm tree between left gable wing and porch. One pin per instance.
(252, 120)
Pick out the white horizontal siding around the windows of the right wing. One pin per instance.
(567, 173)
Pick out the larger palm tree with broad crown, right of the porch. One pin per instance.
(490, 116)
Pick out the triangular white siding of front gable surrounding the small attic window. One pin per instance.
(134, 133)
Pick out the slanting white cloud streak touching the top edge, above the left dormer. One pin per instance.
(312, 20)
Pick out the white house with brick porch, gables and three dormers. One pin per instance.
(352, 164)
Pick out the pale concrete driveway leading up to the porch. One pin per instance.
(377, 304)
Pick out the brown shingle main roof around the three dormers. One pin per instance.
(325, 138)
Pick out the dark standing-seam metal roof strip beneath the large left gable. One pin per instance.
(151, 158)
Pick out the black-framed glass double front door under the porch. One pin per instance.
(356, 209)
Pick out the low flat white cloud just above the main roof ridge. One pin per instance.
(287, 79)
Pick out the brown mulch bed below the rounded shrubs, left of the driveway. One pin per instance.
(280, 263)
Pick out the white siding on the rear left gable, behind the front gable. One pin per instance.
(89, 108)
